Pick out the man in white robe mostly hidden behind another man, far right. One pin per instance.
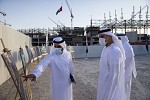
(129, 64)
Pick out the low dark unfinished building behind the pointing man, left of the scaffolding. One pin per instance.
(72, 37)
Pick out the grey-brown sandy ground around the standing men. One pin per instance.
(86, 75)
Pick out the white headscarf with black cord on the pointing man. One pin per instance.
(60, 41)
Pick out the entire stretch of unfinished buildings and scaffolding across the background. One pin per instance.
(137, 30)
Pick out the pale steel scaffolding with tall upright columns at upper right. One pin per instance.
(140, 24)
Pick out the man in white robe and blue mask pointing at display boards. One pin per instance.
(61, 70)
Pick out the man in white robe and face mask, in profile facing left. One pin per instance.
(111, 77)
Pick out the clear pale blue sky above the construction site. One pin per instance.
(35, 13)
